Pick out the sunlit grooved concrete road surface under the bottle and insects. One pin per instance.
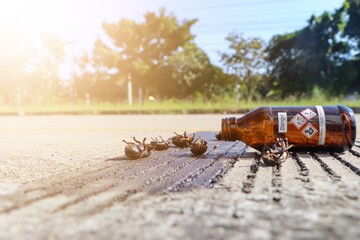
(65, 177)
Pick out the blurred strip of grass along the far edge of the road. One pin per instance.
(164, 107)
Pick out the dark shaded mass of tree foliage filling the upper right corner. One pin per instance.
(321, 54)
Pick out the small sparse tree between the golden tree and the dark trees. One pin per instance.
(246, 59)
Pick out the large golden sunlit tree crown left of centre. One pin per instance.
(142, 49)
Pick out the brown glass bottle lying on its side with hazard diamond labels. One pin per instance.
(306, 127)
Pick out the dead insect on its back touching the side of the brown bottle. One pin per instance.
(277, 153)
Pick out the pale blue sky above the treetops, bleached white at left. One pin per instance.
(78, 22)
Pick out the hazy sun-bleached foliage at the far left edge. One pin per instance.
(28, 72)
